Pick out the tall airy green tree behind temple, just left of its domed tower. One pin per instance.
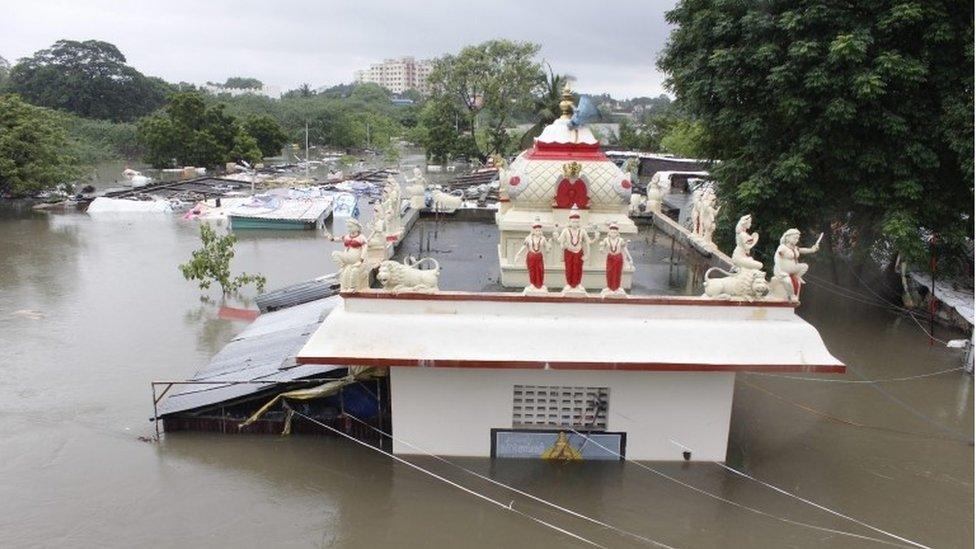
(489, 81)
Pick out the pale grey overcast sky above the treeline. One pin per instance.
(607, 45)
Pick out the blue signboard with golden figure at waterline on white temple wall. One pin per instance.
(557, 444)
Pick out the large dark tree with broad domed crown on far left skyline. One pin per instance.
(89, 78)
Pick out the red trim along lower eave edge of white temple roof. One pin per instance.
(569, 365)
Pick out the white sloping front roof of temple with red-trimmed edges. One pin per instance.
(507, 330)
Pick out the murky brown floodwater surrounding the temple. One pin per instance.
(91, 310)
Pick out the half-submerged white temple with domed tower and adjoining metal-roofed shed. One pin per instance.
(573, 374)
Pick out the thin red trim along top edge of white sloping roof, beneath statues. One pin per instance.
(557, 298)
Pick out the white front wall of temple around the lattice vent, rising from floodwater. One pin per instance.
(450, 411)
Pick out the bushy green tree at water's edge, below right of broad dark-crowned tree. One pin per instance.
(193, 134)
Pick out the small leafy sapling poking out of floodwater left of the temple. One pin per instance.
(211, 263)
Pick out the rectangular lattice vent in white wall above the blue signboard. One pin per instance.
(545, 407)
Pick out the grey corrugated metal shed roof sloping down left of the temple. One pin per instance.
(265, 351)
